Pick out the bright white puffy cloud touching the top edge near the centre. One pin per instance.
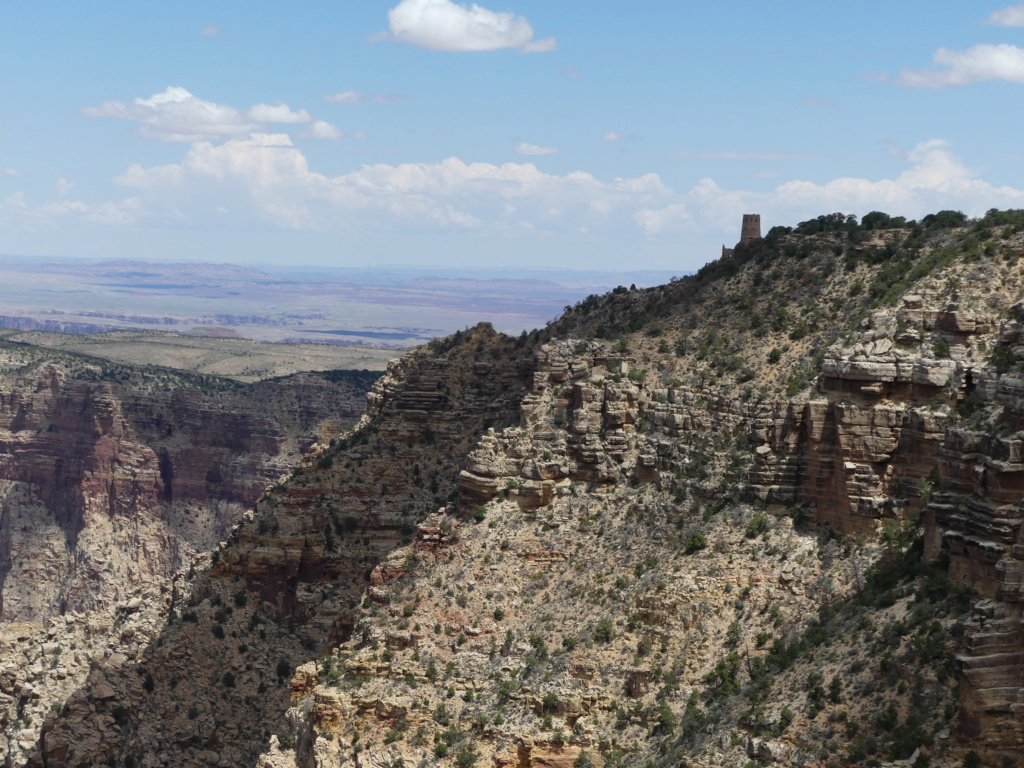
(443, 25)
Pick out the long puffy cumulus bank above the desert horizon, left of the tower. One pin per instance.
(268, 178)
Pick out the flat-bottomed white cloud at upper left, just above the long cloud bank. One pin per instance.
(176, 115)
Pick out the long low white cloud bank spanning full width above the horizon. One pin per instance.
(265, 181)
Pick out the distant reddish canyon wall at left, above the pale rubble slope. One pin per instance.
(110, 485)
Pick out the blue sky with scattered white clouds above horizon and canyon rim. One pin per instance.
(599, 136)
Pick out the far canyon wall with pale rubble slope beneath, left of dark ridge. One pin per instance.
(111, 481)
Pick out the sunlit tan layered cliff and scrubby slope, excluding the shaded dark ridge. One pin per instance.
(498, 643)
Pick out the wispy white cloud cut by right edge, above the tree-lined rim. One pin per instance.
(974, 65)
